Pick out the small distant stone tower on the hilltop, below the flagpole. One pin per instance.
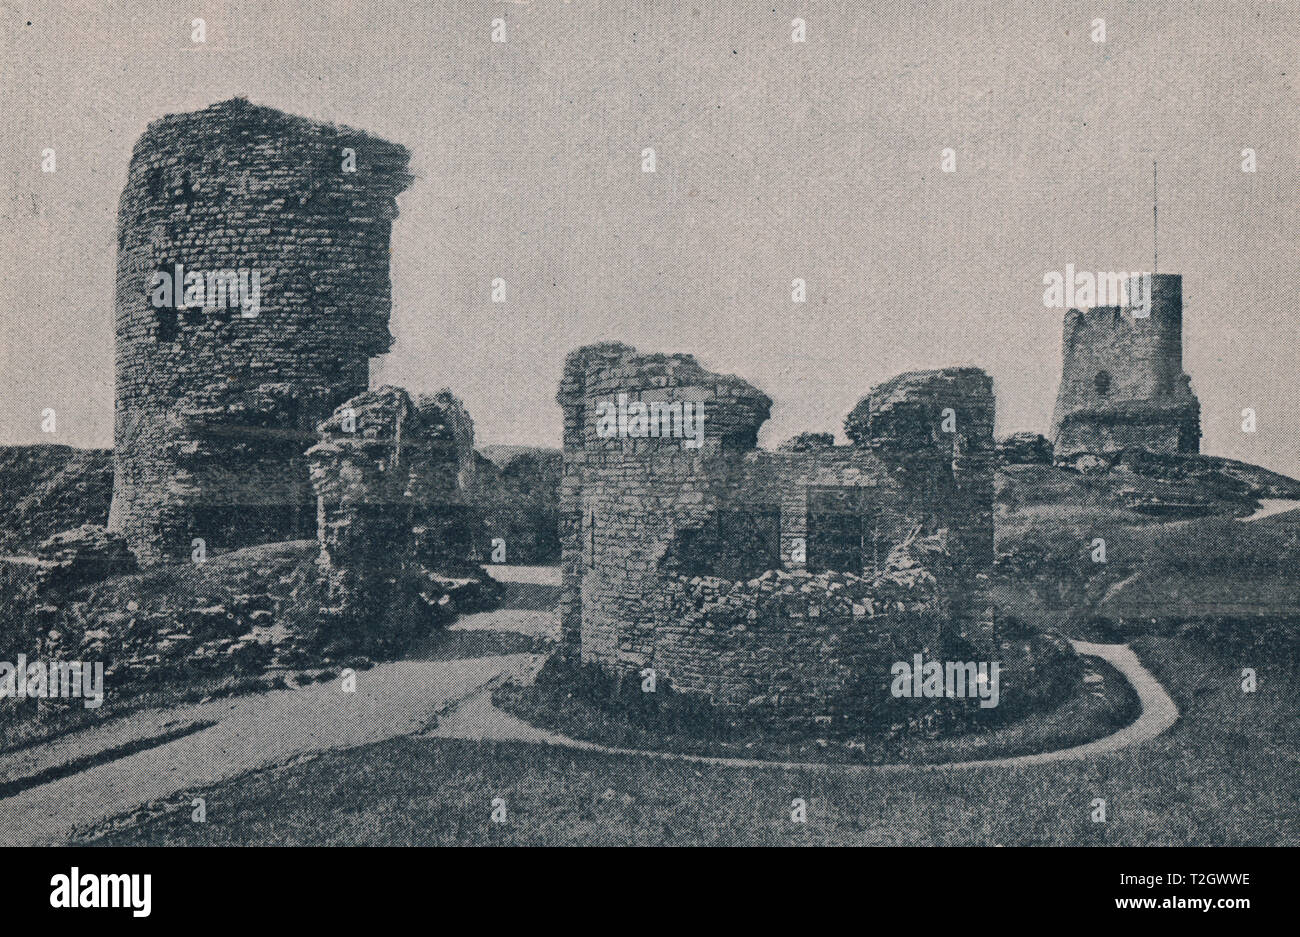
(1123, 385)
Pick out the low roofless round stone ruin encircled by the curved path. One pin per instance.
(746, 575)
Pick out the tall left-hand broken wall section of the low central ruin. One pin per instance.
(623, 498)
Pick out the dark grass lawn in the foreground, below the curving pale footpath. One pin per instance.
(1225, 775)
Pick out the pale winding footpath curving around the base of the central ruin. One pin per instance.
(51, 792)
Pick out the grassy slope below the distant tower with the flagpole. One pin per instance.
(1215, 574)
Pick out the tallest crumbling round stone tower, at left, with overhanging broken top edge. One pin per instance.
(220, 387)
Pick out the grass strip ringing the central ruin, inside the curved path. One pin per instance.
(1051, 700)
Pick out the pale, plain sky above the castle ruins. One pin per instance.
(775, 160)
